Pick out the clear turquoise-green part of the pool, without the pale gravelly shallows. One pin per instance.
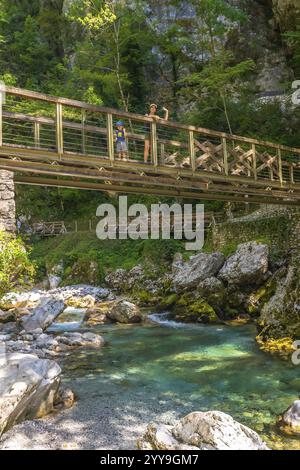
(193, 367)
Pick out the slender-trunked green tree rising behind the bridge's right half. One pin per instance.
(216, 75)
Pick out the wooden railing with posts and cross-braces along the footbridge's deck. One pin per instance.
(66, 127)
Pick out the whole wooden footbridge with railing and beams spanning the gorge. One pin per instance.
(60, 142)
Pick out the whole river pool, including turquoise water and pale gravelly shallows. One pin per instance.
(163, 370)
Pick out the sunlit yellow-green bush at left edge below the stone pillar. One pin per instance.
(16, 269)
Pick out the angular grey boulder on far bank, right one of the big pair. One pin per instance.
(248, 265)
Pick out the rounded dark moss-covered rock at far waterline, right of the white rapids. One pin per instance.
(193, 308)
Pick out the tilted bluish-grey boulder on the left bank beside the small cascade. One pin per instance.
(43, 315)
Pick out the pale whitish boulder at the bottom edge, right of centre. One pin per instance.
(211, 430)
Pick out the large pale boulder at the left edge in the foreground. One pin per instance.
(28, 386)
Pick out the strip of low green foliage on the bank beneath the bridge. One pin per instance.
(109, 254)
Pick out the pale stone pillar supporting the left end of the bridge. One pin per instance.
(7, 202)
